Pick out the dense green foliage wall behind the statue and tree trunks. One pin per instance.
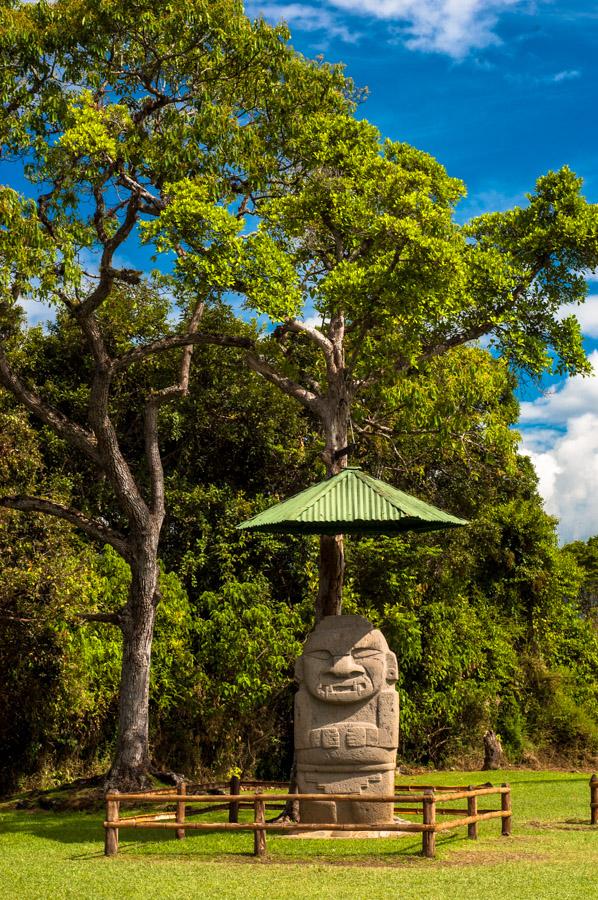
(486, 622)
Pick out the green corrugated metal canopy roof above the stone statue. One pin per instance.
(351, 503)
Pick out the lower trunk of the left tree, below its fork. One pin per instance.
(130, 769)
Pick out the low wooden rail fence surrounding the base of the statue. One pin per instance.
(425, 800)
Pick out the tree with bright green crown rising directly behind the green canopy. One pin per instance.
(368, 278)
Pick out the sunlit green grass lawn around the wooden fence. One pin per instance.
(553, 853)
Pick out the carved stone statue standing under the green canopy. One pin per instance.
(346, 720)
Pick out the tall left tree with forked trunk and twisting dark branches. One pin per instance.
(105, 105)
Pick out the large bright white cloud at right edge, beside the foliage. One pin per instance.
(560, 434)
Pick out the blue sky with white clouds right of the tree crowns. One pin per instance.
(499, 91)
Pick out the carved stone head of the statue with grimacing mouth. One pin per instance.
(345, 660)
